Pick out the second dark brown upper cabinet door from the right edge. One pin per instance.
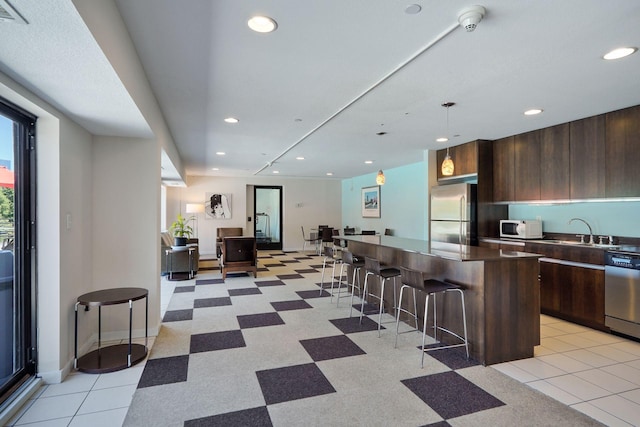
(587, 153)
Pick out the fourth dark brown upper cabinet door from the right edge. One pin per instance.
(527, 166)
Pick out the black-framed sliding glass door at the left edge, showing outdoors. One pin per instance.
(17, 222)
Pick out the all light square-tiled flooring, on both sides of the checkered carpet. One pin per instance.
(594, 372)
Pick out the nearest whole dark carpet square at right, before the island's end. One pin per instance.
(451, 395)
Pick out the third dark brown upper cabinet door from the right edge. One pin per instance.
(554, 163)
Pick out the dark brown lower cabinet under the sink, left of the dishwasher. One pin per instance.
(573, 293)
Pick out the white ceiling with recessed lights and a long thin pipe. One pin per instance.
(332, 76)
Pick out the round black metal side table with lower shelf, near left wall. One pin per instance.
(119, 356)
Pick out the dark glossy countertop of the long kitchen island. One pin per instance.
(442, 250)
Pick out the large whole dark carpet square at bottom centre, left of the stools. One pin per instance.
(292, 383)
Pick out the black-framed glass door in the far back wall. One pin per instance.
(267, 214)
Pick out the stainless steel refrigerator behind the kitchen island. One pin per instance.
(453, 216)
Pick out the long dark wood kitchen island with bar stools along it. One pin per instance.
(501, 288)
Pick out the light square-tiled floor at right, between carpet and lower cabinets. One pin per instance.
(592, 371)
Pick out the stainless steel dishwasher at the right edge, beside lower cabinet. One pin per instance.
(622, 292)
